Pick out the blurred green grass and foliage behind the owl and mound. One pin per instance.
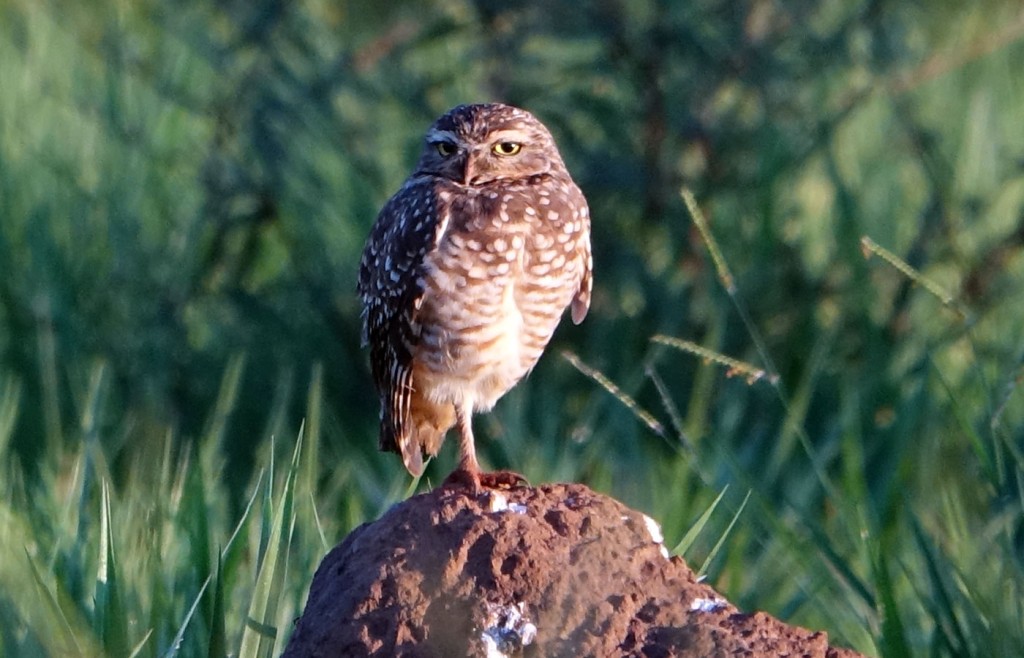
(185, 193)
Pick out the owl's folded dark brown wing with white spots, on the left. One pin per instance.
(392, 289)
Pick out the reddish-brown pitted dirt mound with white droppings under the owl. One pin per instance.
(557, 571)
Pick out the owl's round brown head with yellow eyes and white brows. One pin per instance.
(479, 145)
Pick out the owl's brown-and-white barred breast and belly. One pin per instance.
(491, 302)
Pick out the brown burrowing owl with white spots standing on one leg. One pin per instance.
(465, 276)
